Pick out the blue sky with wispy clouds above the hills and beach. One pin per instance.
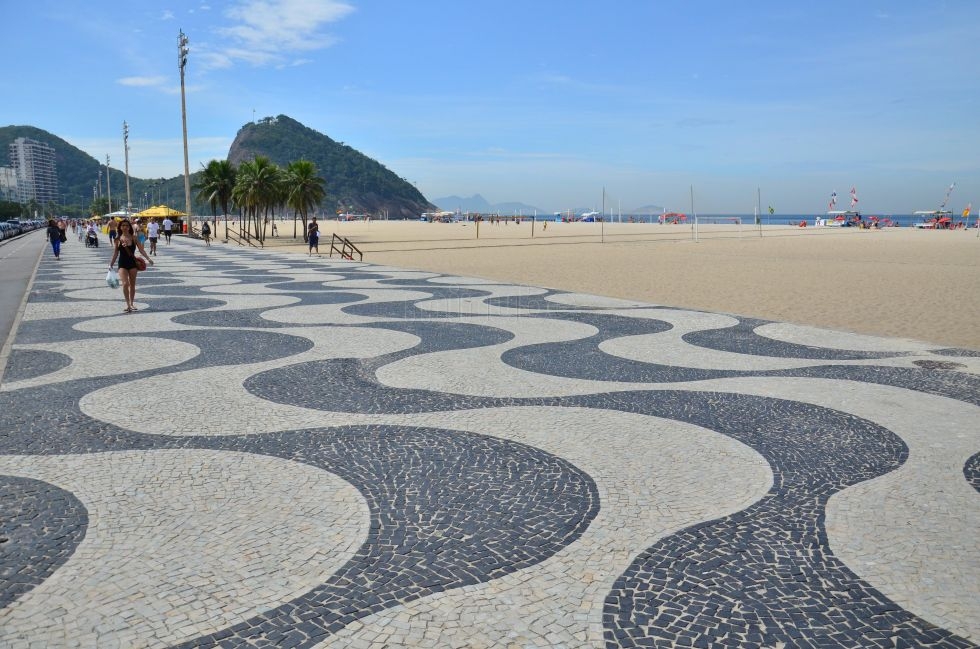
(540, 101)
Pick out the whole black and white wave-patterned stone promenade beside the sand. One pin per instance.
(279, 451)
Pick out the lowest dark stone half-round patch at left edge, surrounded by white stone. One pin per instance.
(40, 527)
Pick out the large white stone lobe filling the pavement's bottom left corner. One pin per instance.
(181, 543)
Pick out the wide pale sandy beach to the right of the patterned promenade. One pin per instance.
(898, 282)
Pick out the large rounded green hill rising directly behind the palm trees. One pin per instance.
(354, 182)
